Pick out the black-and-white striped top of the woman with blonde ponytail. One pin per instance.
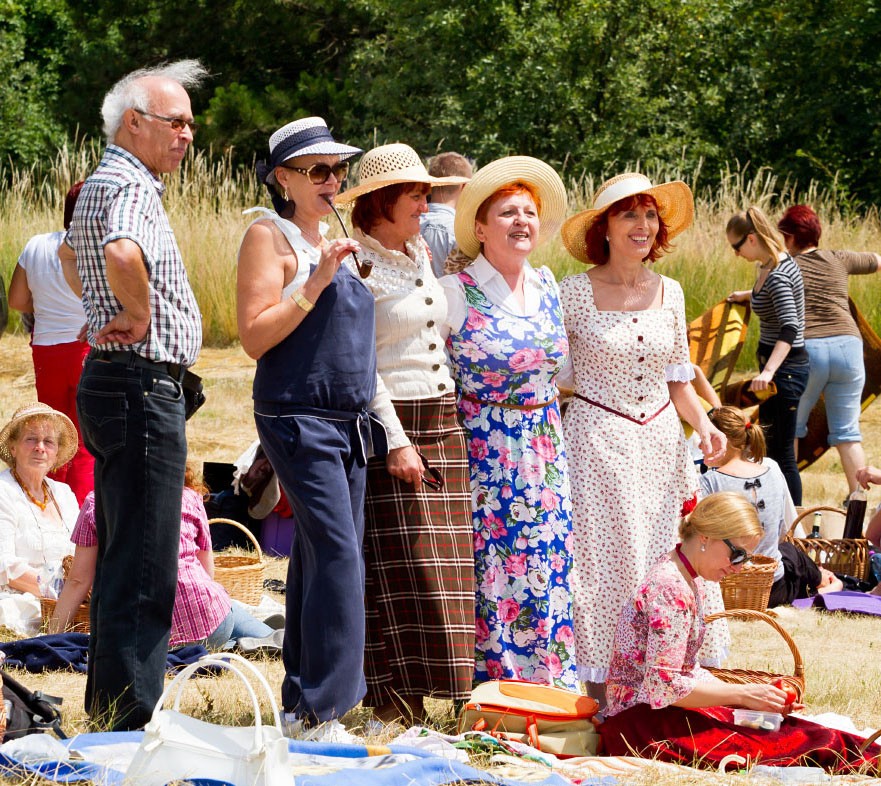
(780, 305)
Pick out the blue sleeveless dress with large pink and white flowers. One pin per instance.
(505, 366)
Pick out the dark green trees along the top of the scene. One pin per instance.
(588, 85)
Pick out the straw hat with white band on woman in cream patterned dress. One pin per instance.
(674, 200)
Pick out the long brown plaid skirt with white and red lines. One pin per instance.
(420, 566)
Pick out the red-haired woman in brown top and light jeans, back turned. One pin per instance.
(832, 338)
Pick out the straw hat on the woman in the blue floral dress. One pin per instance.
(495, 175)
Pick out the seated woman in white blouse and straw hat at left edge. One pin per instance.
(36, 513)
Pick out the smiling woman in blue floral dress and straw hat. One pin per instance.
(507, 343)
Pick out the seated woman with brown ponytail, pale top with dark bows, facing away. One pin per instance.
(745, 468)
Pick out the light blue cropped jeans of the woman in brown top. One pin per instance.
(838, 373)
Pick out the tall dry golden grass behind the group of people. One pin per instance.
(206, 198)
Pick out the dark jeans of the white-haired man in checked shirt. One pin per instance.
(133, 423)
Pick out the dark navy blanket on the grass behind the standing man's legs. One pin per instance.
(68, 651)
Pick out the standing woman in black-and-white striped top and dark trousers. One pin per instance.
(777, 298)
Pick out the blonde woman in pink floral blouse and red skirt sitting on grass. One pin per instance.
(661, 703)
